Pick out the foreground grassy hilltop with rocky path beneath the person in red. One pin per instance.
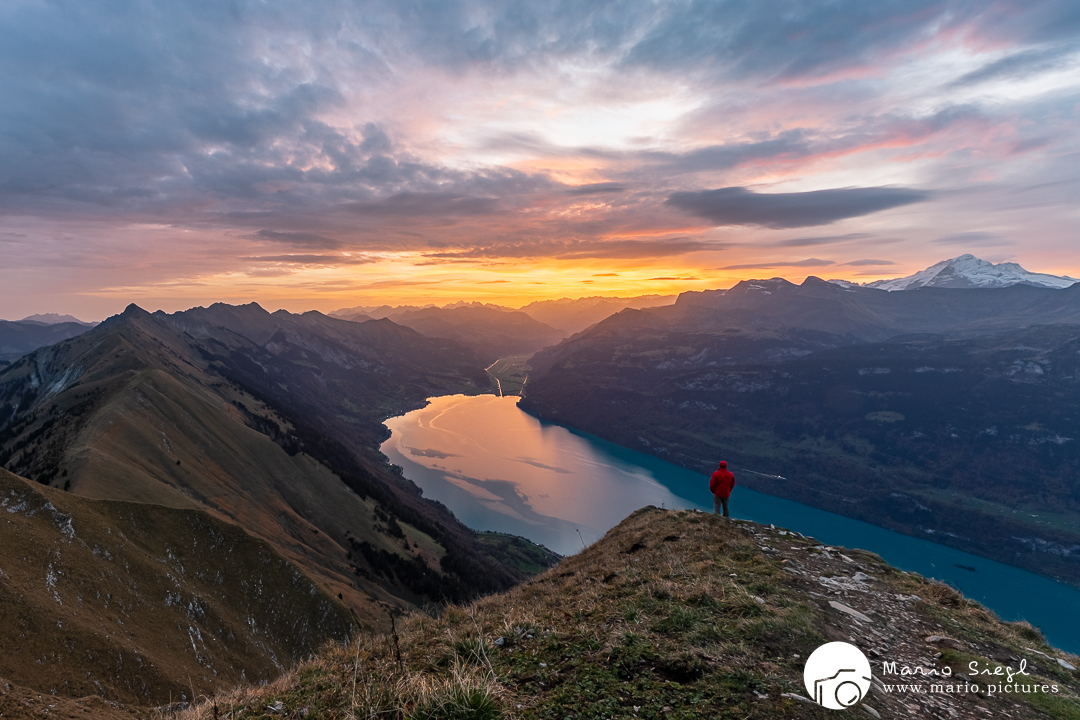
(681, 616)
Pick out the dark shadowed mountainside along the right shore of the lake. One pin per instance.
(952, 415)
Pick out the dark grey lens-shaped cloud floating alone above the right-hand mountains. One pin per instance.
(792, 210)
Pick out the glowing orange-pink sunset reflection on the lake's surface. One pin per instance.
(501, 469)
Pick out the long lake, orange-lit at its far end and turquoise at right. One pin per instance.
(501, 469)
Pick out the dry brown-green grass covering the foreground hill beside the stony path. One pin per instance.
(674, 616)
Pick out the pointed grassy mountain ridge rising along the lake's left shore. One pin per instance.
(273, 426)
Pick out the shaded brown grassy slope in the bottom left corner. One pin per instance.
(138, 604)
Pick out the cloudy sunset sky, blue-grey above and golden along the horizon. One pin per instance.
(332, 154)
